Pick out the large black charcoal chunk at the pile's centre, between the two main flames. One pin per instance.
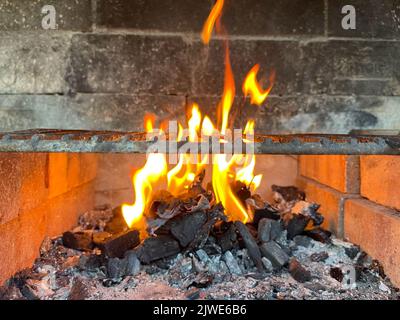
(184, 228)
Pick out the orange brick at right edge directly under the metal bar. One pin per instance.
(380, 179)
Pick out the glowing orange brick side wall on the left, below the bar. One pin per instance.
(40, 195)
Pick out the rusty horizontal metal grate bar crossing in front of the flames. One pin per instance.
(131, 142)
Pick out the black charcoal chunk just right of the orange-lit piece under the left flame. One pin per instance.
(153, 249)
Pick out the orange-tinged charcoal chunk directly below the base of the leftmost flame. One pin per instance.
(117, 245)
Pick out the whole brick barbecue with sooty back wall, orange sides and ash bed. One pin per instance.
(72, 103)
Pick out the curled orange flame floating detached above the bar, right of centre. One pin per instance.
(252, 88)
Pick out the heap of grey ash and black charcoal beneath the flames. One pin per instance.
(192, 251)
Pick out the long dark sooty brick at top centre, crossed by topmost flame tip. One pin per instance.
(240, 17)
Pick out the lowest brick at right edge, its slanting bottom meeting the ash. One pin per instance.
(377, 230)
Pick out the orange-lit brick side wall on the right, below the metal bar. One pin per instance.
(360, 199)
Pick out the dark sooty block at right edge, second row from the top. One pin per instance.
(351, 67)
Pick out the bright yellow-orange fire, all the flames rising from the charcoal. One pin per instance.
(227, 170)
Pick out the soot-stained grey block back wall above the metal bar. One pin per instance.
(110, 61)
